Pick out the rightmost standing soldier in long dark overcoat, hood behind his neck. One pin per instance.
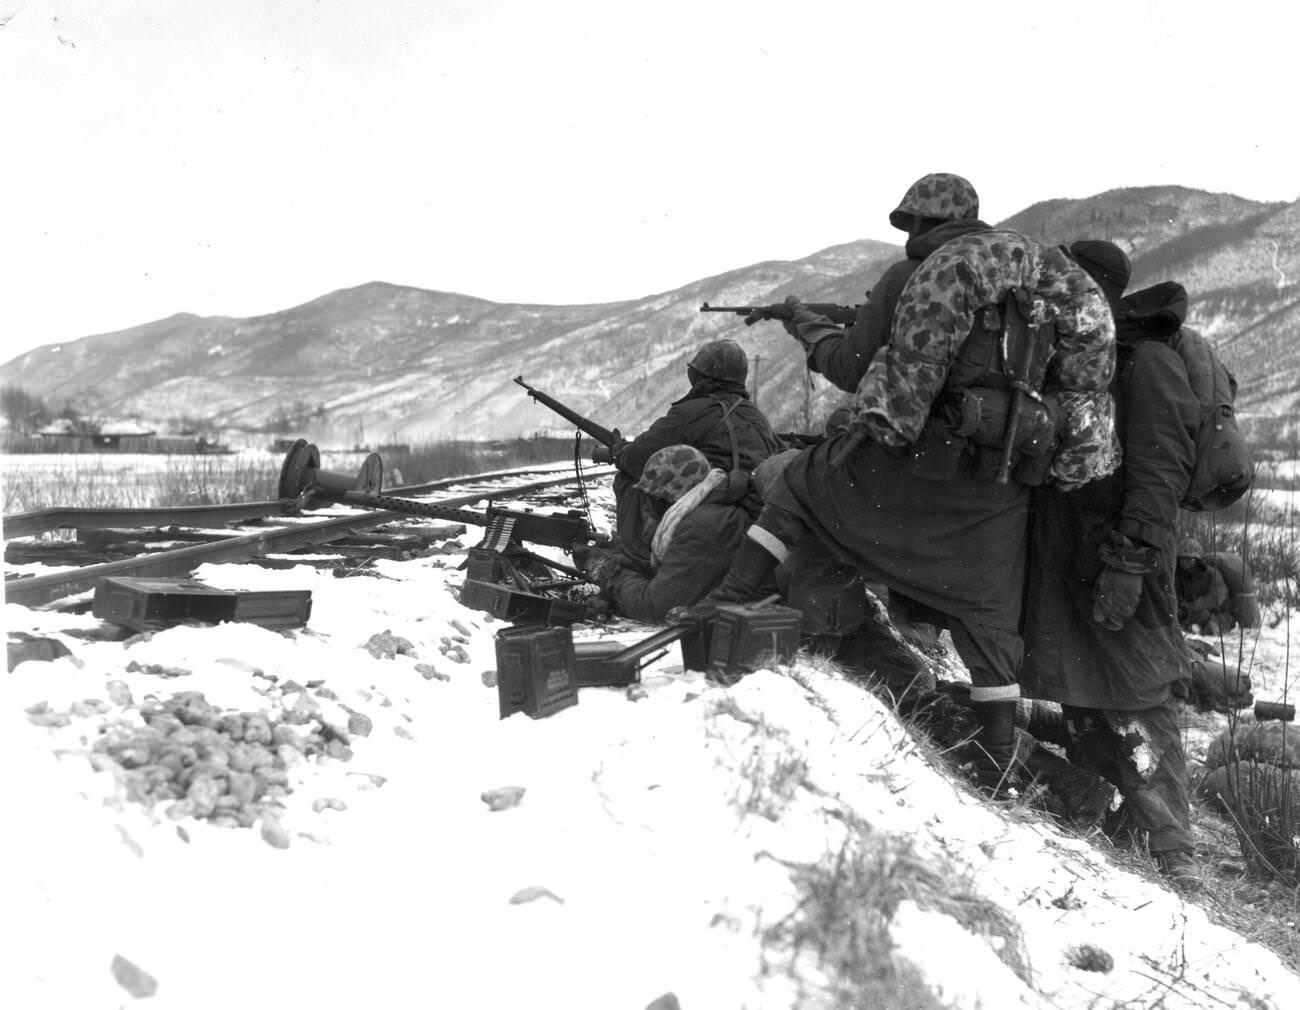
(1102, 632)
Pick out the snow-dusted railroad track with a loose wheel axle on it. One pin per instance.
(224, 534)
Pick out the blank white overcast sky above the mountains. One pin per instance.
(245, 157)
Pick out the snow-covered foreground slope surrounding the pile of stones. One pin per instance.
(671, 839)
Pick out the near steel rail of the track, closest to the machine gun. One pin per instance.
(45, 588)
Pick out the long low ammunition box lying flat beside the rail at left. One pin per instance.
(154, 604)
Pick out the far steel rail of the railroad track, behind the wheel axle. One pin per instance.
(42, 521)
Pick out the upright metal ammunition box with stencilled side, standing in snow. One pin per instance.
(535, 671)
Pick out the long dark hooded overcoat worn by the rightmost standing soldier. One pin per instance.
(1071, 658)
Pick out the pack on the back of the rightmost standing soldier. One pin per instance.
(1224, 467)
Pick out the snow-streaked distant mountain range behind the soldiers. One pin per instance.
(387, 363)
